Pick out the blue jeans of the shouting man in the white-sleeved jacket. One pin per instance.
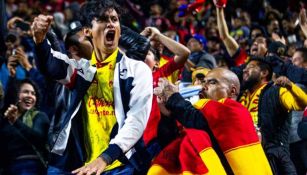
(123, 170)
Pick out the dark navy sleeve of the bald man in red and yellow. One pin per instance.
(185, 113)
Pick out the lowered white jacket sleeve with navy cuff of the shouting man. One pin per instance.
(137, 115)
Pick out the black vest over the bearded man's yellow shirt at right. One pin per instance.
(274, 123)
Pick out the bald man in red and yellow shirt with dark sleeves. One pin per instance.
(221, 116)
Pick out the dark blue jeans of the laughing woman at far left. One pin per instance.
(26, 167)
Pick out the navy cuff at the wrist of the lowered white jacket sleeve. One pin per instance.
(112, 153)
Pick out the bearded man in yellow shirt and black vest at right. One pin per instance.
(269, 104)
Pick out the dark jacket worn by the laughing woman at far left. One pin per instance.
(15, 138)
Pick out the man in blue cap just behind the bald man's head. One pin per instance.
(198, 58)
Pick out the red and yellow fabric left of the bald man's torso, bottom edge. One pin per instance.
(190, 154)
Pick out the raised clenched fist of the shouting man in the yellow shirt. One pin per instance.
(40, 27)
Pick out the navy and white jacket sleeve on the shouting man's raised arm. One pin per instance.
(58, 66)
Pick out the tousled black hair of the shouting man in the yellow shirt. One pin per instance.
(97, 9)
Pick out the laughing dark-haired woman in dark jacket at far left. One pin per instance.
(23, 130)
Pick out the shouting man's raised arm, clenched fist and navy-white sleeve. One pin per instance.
(54, 64)
